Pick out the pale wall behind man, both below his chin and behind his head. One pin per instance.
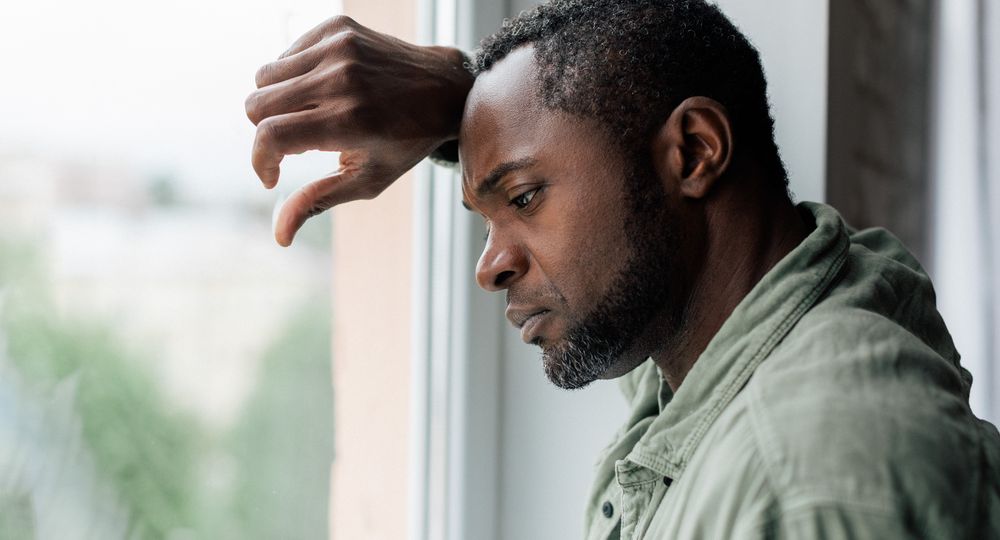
(550, 438)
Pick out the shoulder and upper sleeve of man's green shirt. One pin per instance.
(863, 408)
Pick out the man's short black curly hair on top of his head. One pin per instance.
(629, 63)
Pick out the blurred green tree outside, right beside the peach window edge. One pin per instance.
(283, 444)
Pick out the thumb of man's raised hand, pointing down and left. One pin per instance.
(317, 197)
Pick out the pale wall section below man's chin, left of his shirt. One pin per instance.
(549, 442)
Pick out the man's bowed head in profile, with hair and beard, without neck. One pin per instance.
(591, 143)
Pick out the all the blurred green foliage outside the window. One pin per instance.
(158, 463)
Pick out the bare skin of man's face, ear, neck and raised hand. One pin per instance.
(557, 216)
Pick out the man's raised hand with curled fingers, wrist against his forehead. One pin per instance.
(383, 103)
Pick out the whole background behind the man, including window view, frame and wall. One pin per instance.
(167, 371)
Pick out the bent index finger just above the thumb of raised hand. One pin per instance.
(292, 133)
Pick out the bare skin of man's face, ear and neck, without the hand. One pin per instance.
(548, 218)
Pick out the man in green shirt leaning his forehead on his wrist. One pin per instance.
(788, 377)
